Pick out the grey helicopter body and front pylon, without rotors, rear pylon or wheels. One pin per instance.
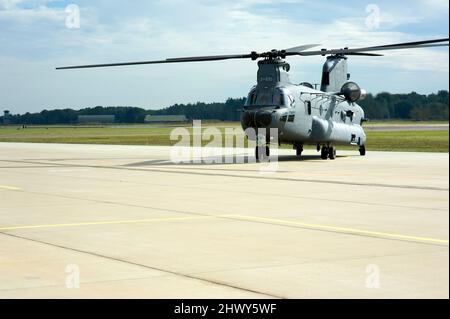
(300, 114)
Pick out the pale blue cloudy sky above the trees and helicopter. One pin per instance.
(38, 35)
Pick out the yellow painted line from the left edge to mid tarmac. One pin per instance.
(114, 222)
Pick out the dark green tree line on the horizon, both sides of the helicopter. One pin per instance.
(384, 106)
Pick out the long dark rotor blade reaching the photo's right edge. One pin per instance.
(397, 46)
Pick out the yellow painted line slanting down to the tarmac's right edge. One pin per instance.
(344, 230)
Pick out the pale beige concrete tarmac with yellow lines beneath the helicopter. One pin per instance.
(90, 221)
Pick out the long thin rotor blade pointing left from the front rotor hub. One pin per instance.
(173, 60)
